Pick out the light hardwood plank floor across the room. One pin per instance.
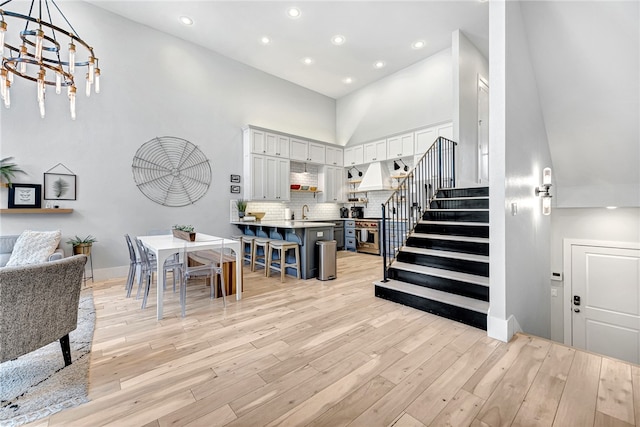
(311, 353)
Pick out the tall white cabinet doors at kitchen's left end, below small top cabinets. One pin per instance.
(268, 178)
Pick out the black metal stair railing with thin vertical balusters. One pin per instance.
(404, 208)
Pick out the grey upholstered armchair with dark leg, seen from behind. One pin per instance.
(39, 305)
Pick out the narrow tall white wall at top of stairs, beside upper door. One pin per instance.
(468, 65)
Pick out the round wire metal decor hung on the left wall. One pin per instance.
(171, 171)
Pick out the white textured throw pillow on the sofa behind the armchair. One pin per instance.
(34, 247)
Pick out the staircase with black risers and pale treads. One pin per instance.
(443, 268)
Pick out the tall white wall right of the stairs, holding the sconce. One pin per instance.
(525, 236)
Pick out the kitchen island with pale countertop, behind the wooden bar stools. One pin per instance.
(305, 233)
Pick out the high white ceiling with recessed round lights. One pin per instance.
(374, 31)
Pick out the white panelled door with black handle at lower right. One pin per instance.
(605, 300)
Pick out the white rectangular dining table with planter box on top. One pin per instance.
(165, 246)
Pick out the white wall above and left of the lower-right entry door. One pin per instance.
(618, 225)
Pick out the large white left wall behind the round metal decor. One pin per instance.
(169, 87)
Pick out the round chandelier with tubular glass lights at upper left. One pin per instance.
(36, 53)
